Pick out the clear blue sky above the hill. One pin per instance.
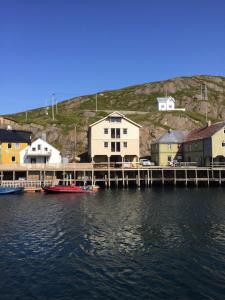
(76, 47)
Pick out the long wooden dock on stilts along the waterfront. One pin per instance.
(107, 175)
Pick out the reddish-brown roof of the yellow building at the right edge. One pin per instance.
(204, 132)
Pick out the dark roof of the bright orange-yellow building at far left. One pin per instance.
(15, 136)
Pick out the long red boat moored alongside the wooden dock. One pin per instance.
(68, 189)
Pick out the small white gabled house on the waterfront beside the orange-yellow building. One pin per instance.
(40, 152)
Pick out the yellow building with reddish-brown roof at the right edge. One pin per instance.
(205, 145)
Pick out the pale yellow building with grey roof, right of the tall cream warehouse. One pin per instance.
(168, 148)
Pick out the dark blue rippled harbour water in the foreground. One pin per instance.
(116, 244)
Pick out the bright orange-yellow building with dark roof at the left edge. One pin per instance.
(11, 143)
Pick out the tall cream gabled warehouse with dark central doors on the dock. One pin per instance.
(114, 138)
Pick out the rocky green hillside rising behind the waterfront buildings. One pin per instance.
(138, 102)
